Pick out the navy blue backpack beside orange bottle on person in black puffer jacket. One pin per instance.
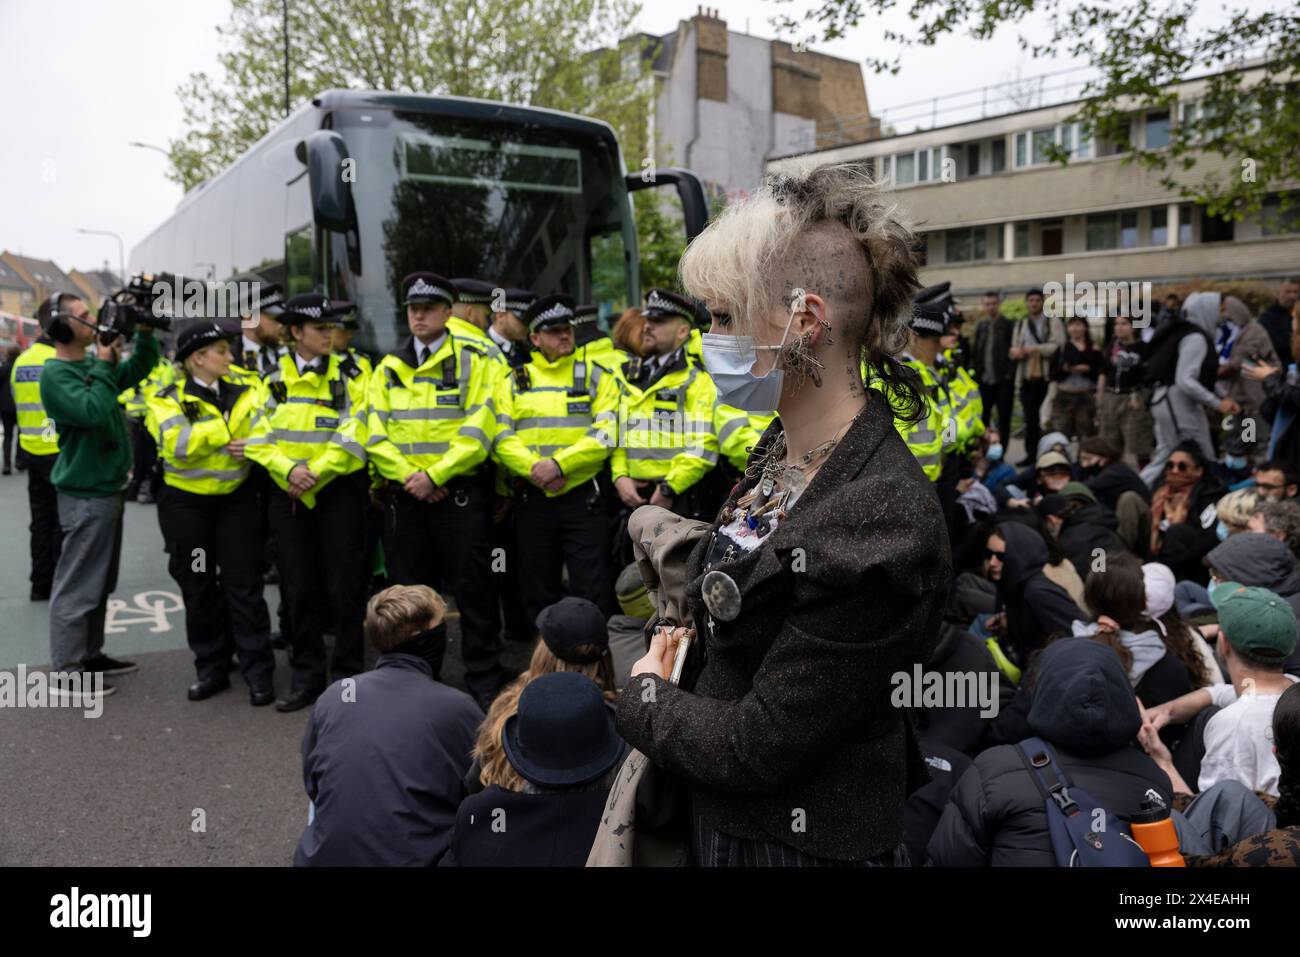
(1072, 813)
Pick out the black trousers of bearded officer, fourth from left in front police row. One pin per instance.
(566, 531)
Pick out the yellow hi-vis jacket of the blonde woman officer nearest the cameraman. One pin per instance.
(193, 435)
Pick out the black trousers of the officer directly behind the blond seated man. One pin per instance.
(447, 545)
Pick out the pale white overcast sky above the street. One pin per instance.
(64, 157)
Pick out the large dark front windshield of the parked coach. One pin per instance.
(519, 205)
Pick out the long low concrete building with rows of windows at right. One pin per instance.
(998, 214)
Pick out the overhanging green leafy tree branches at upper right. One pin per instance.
(1251, 119)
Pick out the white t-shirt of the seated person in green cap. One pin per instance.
(1240, 741)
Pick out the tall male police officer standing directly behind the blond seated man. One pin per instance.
(431, 431)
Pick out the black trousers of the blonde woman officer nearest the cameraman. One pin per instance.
(214, 547)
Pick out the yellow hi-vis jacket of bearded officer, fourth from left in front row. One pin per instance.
(567, 410)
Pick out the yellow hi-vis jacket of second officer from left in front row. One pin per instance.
(315, 421)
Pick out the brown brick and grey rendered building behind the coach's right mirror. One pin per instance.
(726, 103)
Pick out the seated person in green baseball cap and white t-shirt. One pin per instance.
(1258, 634)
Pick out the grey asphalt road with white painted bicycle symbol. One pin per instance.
(157, 780)
